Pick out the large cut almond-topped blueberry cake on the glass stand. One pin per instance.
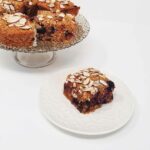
(23, 23)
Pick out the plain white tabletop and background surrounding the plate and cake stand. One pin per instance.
(119, 41)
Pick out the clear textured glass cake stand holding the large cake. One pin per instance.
(45, 52)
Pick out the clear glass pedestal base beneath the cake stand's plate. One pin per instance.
(34, 60)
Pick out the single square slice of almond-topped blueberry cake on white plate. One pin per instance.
(88, 89)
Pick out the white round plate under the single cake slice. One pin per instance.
(109, 118)
